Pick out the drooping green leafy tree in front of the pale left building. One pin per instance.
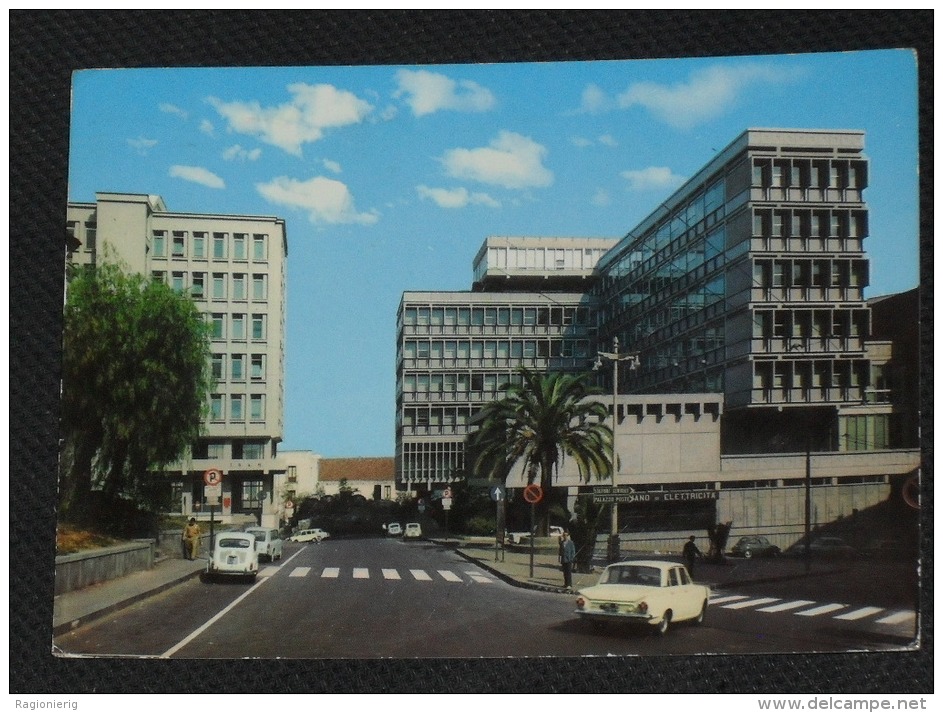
(135, 380)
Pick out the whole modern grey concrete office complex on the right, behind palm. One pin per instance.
(743, 298)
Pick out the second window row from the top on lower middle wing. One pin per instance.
(495, 349)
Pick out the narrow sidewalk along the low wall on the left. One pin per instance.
(75, 608)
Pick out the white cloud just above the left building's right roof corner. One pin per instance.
(325, 200)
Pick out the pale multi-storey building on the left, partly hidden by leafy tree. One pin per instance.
(233, 266)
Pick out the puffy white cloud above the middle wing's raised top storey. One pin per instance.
(511, 161)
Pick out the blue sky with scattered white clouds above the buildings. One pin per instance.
(389, 178)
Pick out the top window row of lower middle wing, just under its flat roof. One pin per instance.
(494, 316)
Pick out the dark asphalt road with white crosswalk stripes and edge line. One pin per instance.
(385, 598)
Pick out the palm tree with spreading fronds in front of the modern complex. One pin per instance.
(538, 423)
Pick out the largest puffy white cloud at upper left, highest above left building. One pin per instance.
(312, 109)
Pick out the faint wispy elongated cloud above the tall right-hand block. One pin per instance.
(707, 93)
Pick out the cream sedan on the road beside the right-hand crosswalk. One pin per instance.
(649, 592)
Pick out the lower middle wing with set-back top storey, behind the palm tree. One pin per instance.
(456, 349)
